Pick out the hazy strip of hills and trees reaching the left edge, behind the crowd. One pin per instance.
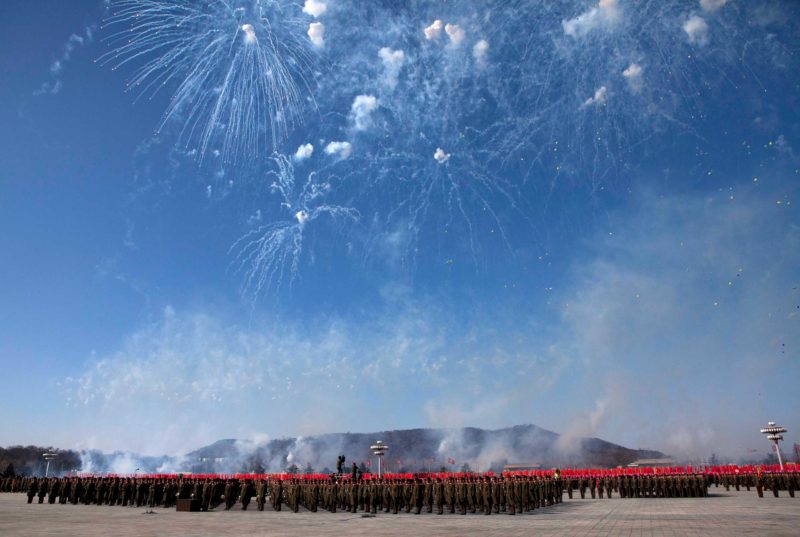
(409, 450)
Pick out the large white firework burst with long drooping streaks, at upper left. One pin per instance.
(239, 70)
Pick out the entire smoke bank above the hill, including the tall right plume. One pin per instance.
(632, 328)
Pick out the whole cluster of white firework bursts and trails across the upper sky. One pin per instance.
(452, 125)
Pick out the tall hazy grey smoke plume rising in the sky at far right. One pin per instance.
(646, 326)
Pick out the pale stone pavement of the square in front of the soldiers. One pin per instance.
(724, 513)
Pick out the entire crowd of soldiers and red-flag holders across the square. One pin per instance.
(487, 493)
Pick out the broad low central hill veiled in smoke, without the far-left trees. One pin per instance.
(418, 449)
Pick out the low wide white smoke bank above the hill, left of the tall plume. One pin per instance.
(187, 371)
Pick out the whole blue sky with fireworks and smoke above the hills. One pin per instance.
(594, 230)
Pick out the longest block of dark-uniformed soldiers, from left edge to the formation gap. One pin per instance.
(471, 494)
